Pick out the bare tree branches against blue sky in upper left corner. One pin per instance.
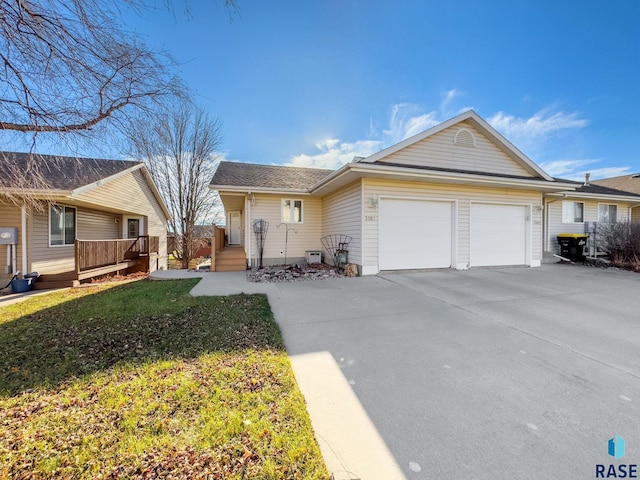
(68, 65)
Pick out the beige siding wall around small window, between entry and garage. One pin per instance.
(302, 236)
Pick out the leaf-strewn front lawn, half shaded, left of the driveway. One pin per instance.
(143, 381)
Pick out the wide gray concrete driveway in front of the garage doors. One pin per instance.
(484, 374)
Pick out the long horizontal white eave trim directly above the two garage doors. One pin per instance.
(437, 175)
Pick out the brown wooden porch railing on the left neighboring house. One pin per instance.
(91, 254)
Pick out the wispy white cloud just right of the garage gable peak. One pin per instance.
(541, 124)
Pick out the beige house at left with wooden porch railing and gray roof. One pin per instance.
(91, 218)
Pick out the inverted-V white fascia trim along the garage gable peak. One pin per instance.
(470, 114)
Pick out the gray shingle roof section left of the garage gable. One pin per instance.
(235, 174)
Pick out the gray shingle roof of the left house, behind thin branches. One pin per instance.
(58, 173)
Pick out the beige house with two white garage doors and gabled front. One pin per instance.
(458, 195)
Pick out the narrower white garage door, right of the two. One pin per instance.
(498, 235)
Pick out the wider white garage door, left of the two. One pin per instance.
(414, 234)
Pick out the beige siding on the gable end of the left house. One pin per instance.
(131, 194)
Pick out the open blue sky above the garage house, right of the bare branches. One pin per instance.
(314, 83)
